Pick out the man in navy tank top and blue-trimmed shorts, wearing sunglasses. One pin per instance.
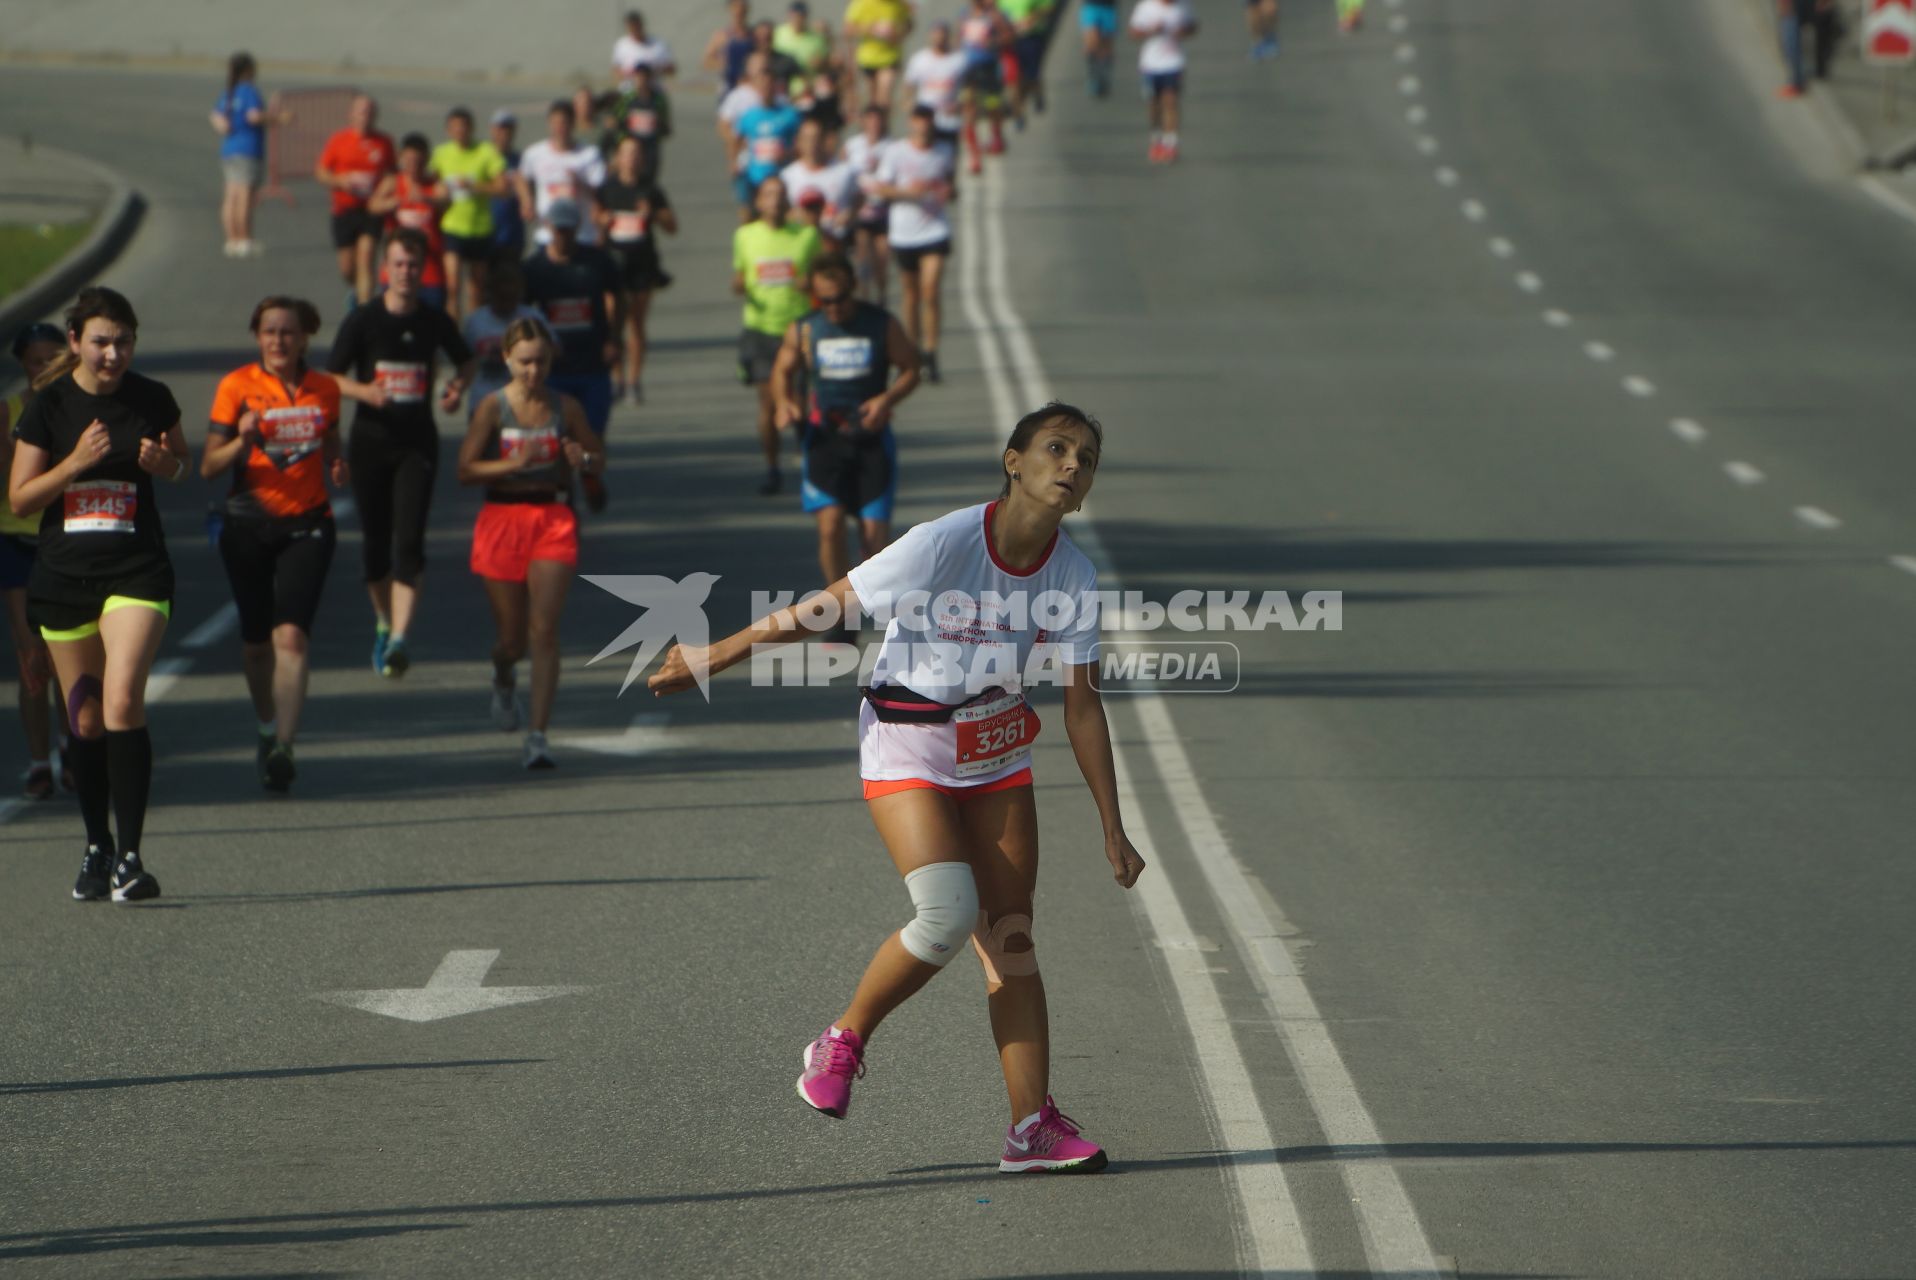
(848, 352)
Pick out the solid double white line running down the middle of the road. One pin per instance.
(1273, 1237)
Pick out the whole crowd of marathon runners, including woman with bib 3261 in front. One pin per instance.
(514, 286)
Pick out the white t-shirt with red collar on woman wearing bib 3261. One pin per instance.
(959, 624)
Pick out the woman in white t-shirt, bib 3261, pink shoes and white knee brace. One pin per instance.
(946, 758)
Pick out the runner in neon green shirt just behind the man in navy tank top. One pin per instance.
(771, 271)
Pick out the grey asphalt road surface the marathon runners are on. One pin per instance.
(1587, 833)
